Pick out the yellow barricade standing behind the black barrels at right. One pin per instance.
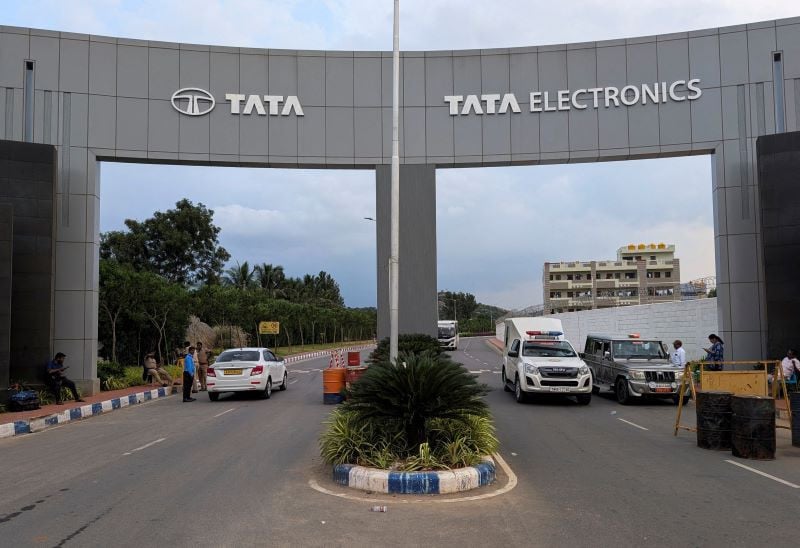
(747, 378)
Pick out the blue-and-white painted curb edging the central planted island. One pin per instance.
(415, 483)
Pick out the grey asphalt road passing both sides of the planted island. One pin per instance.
(236, 473)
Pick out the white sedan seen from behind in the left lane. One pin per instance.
(246, 370)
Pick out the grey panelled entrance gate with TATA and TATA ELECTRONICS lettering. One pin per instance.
(98, 99)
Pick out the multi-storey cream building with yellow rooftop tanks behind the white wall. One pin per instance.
(641, 274)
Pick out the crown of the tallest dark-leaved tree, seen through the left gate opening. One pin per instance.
(180, 244)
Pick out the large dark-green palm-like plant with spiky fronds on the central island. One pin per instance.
(419, 388)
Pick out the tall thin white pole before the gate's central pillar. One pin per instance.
(394, 259)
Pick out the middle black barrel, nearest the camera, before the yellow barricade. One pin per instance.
(753, 425)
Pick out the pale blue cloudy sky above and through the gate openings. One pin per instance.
(313, 220)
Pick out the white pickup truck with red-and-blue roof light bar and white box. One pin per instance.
(539, 360)
